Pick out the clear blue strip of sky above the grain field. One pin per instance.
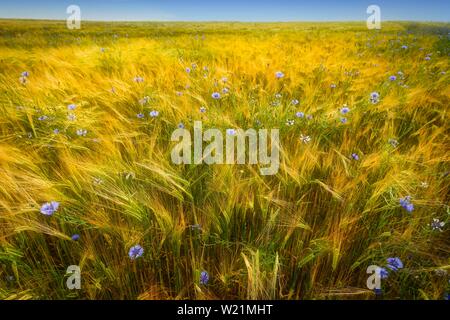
(228, 10)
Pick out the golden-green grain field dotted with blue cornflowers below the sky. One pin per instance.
(70, 132)
